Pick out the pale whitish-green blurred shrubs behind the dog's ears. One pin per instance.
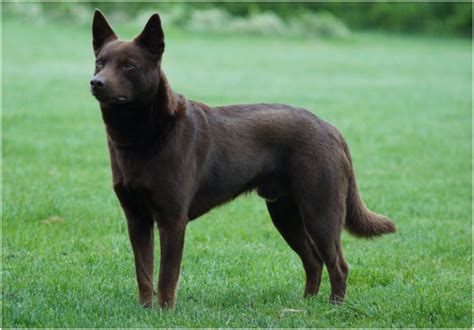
(181, 16)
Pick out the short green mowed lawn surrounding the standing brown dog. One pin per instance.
(403, 104)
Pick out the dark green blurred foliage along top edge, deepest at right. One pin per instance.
(433, 17)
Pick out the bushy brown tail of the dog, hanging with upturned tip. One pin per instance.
(360, 221)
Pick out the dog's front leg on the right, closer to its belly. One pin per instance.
(171, 243)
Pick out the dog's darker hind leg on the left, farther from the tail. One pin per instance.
(286, 218)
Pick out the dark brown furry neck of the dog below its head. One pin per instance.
(136, 126)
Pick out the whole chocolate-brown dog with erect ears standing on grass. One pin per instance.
(173, 160)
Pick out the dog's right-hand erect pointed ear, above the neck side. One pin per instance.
(152, 37)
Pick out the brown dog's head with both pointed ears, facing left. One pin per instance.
(126, 71)
